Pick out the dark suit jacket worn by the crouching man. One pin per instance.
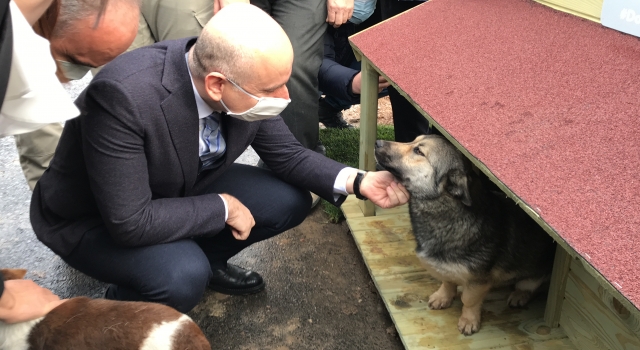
(130, 160)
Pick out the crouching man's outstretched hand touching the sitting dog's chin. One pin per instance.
(381, 188)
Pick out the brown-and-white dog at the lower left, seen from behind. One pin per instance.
(91, 324)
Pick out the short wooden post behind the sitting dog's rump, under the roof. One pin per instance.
(561, 265)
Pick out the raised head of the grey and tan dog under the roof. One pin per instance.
(429, 167)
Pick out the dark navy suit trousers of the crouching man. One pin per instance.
(177, 273)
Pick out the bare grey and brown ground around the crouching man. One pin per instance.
(319, 294)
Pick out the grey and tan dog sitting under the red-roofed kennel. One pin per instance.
(466, 235)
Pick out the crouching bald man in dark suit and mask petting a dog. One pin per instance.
(144, 193)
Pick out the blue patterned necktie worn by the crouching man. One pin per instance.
(214, 145)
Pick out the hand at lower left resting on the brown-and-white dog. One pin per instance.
(24, 300)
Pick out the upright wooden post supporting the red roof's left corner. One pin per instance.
(368, 124)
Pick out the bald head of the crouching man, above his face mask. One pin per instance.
(239, 39)
